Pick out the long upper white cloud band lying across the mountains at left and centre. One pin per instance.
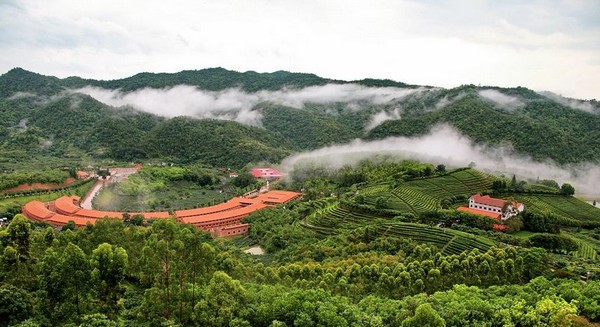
(238, 105)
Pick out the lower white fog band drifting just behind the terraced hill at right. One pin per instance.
(445, 145)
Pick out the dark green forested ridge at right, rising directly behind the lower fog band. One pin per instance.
(540, 128)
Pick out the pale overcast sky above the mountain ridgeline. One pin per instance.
(543, 45)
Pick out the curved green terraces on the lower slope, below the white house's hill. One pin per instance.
(449, 241)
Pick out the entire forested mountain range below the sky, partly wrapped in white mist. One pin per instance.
(294, 111)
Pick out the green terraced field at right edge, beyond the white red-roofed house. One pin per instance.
(569, 207)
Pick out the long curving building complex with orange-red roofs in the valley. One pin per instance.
(221, 220)
